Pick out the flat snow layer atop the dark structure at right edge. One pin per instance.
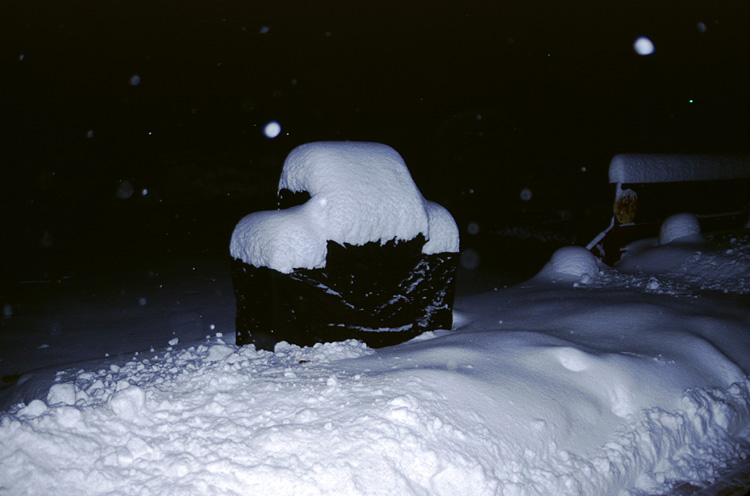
(632, 168)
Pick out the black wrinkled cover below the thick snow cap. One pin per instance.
(382, 295)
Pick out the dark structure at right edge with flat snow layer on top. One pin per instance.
(651, 188)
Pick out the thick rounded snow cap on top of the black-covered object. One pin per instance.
(359, 193)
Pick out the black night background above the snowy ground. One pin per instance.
(482, 99)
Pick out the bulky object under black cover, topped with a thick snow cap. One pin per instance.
(357, 253)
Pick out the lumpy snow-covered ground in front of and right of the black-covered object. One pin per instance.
(583, 380)
